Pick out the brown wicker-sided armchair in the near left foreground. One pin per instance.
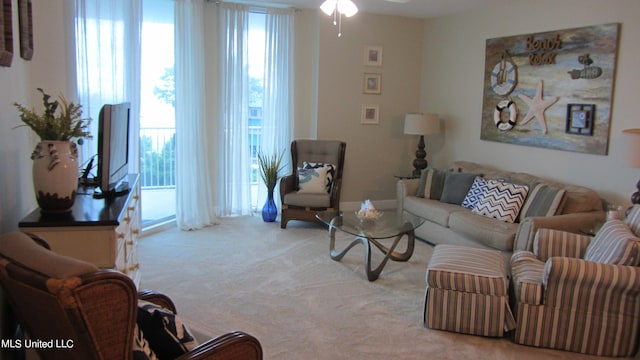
(89, 313)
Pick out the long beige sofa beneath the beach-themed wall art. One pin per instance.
(446, 223)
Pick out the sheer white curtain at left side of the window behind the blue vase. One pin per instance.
(234, 190)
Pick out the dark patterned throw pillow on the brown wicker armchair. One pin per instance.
(167, 336)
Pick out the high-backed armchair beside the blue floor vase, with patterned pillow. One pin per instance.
(312, 160)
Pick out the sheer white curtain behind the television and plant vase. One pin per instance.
(107, 36)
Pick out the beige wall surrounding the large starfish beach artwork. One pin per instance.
(452, 85)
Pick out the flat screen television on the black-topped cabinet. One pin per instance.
(113, 150)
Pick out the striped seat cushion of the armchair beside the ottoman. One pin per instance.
(527, 272)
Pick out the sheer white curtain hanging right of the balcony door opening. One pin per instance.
(195, 206)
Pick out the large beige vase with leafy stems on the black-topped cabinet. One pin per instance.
(55, 166)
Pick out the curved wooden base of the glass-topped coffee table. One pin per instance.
(389, 252)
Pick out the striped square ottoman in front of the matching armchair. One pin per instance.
(467, 292)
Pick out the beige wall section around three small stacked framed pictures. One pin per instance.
(374, 153)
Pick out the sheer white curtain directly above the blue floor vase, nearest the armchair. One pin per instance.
(277, 120)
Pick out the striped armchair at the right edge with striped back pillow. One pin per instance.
(579, 293)
